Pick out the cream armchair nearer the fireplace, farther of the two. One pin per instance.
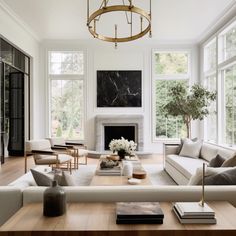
(78, 150)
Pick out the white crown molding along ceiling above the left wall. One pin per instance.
(18, 20)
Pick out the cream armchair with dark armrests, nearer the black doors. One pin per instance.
(44, 155)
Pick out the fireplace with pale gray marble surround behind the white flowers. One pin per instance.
(110, 127)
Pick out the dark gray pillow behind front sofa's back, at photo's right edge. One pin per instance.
(224, 178)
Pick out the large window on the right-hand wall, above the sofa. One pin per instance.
(220, 75)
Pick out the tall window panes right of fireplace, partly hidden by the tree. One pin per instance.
(170, 68)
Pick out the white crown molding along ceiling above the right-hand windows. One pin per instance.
(220, 21)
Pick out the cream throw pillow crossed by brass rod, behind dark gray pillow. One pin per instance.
(196, 179)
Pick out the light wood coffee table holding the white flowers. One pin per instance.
(99, 180)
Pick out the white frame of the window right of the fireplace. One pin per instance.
(155, 77)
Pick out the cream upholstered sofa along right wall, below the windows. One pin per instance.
(181, 169)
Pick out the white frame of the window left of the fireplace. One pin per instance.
(51, 77)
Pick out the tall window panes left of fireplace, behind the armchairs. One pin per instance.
(66, 74)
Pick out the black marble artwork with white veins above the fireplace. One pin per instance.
(119, 89)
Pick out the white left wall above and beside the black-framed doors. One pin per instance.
(13, 30)
